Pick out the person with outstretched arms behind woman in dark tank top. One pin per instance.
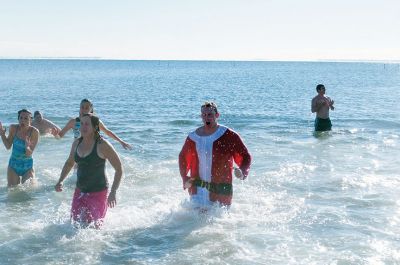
(86, 107)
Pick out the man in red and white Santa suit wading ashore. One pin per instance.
(209, 153)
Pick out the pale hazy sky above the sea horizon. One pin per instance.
(287, 30)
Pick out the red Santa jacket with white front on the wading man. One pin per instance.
(211, 158)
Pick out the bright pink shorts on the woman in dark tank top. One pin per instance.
(89, 207)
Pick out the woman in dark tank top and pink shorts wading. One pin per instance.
(90, 152)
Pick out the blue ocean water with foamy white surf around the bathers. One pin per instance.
(332, 199)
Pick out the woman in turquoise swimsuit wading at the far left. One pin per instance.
(23, 139)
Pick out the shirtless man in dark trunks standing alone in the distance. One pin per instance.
(321, 104)
